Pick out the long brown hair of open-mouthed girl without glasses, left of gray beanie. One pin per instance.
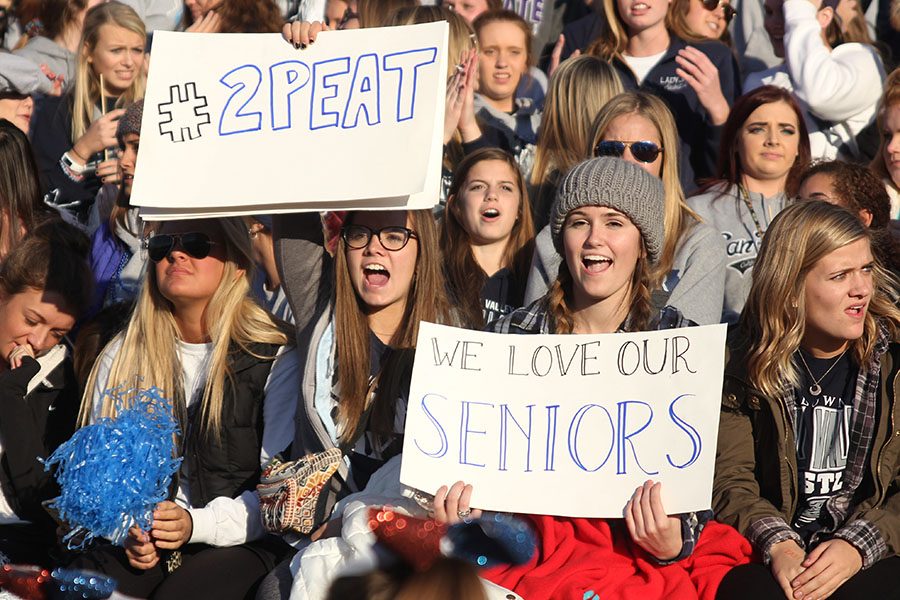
(465, 278)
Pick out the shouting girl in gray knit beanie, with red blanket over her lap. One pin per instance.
(605, 223)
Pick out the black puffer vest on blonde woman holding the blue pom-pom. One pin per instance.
(230, 465)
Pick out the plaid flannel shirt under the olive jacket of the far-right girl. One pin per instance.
(861, 534)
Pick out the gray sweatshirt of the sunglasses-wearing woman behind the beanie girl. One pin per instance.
(696, 283)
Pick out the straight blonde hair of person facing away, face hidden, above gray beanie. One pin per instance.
(579, 88)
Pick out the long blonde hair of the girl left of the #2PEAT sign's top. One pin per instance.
(86, 91)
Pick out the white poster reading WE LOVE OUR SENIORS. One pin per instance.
(565, 425)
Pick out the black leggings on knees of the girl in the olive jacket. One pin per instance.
(881, 581)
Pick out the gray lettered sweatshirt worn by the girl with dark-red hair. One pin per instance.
(725, 210)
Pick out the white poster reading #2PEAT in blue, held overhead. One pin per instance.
(246, 123)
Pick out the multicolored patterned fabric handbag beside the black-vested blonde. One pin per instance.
(289, 491)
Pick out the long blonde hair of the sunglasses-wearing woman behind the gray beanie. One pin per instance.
(678, 218)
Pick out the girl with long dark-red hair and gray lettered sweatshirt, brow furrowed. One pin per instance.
(764, 150)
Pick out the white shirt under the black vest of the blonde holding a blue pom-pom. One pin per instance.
(227, 521)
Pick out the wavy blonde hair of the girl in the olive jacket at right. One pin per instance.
(774, 317)
